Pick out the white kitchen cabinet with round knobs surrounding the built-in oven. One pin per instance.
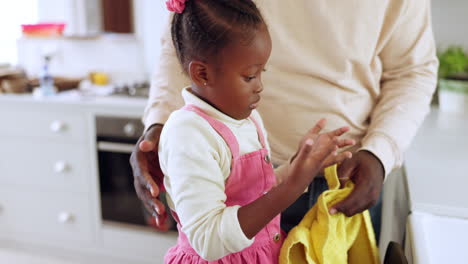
(49, 182)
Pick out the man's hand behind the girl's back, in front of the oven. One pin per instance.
(148, 175)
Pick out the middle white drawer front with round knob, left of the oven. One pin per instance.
(45, 165)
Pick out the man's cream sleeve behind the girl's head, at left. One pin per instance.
(166, 83)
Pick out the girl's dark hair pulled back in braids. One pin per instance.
(207, 26)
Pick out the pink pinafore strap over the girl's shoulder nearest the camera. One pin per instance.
(221, 128)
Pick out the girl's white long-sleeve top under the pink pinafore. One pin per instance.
(196, 162)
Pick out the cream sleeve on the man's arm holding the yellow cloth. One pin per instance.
(409, 77)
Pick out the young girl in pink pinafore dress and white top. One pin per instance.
(221, 187)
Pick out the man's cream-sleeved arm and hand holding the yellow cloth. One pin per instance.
(409, 76)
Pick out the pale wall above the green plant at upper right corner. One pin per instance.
(450, 22)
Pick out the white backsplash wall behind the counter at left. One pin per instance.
(119, 55)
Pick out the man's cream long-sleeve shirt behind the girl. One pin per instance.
(367, 64)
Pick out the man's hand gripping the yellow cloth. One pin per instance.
(367, 173)
